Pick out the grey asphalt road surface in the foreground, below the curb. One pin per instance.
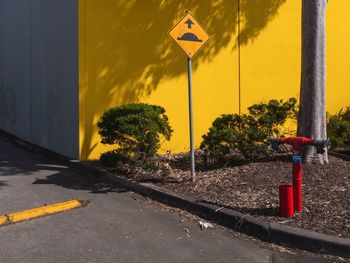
(116, 226)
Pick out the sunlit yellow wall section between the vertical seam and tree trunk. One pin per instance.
(270, 65)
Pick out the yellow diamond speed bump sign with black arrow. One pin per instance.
(189, 35)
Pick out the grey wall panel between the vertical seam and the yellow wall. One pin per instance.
(55, 75)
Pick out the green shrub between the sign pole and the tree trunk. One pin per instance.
(246, 133)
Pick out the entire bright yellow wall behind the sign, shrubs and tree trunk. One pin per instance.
(127, 56)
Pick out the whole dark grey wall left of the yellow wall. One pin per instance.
(47, 96)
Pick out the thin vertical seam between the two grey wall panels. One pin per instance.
(30, 71)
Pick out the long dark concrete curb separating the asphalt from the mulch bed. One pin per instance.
(269, 232)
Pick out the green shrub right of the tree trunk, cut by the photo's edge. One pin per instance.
(338, 128)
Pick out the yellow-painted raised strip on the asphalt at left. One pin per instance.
(39, 212)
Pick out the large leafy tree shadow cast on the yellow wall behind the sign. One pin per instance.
(129, 51)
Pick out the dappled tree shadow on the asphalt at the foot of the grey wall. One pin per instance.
(47, 170)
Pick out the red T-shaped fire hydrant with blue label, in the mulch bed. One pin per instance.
(297, 143)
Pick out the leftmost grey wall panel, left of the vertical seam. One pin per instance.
(15, 91)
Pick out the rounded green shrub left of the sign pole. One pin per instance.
(136, 131)
